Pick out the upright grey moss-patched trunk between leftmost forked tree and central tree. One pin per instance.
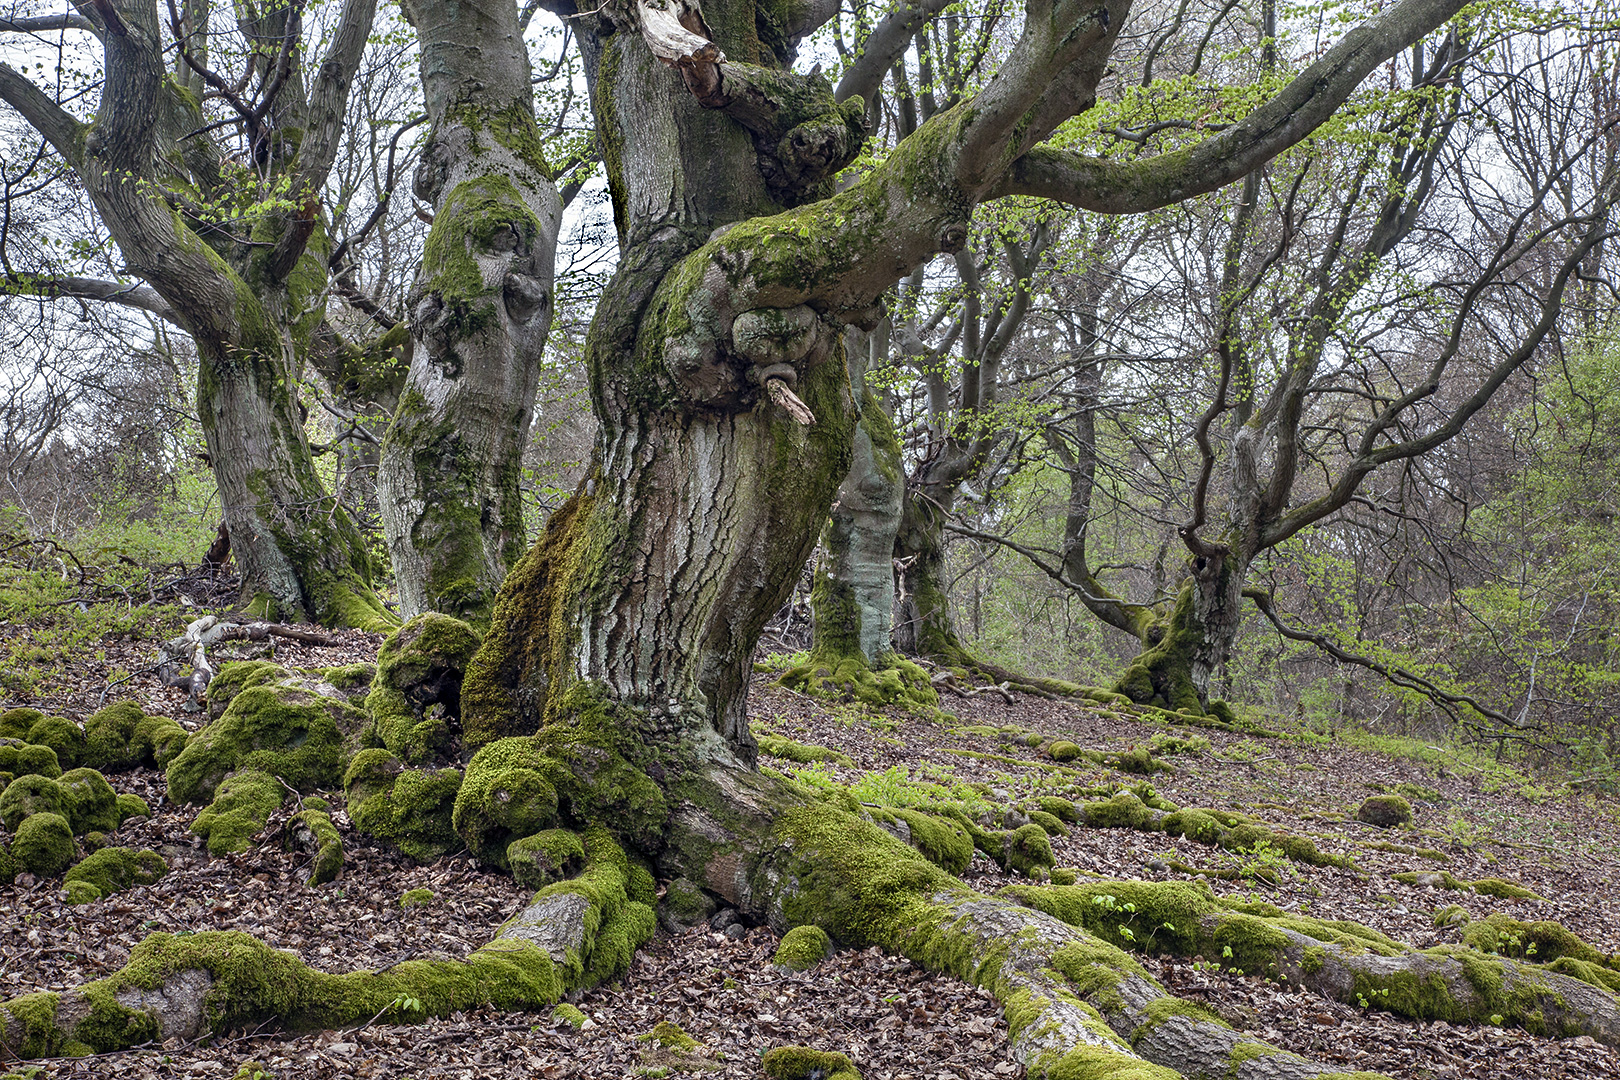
(480, 315)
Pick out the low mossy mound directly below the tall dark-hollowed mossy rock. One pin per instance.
(409, 809)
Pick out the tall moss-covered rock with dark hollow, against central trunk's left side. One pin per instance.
(416, 699)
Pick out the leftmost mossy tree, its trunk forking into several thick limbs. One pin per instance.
(247, 286)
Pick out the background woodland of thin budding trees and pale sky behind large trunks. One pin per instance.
(1431, 276)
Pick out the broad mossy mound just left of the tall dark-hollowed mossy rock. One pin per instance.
(284, 731)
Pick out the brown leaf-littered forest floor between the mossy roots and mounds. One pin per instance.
(1473, 819)
